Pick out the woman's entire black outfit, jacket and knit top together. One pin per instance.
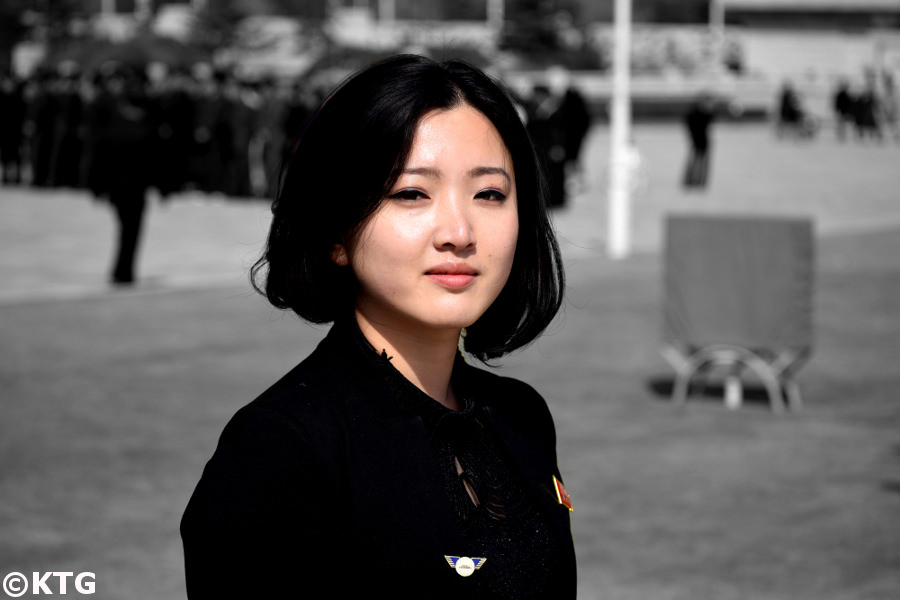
(344, 480)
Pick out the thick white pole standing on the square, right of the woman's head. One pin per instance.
(619, 226)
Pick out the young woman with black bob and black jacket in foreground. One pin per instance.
(412, 215)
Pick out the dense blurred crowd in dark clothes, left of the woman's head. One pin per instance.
(197, 129)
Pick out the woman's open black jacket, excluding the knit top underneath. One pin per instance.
(326, 486)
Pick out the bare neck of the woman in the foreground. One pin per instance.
(425, 360)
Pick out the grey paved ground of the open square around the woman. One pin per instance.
(111, 401)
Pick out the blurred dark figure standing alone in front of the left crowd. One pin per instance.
(123, 141)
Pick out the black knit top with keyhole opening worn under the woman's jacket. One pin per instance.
(496, 514)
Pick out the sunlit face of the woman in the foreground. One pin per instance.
(439, 249)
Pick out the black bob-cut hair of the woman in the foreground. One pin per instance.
(345, 162)
